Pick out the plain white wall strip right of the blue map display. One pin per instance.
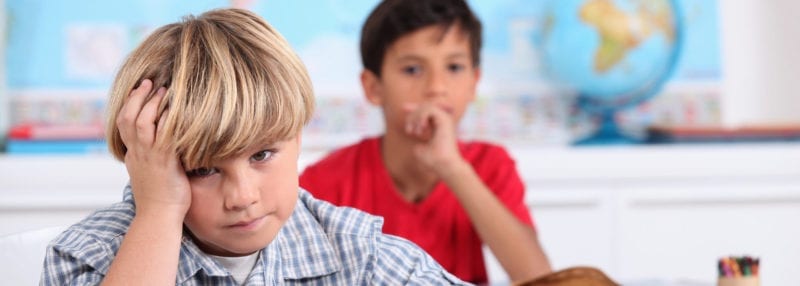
(761, 61)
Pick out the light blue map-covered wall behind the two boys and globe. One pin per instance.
(517, 100)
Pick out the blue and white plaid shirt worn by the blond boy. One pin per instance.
(320, 244)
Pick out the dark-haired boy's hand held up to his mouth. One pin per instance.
(436, 130)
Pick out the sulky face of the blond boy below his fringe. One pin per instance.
(240, 204)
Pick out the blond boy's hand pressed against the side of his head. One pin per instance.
(158, 180)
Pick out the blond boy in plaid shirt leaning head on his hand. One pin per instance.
(207, 115)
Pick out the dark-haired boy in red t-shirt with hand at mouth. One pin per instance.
(421, 61)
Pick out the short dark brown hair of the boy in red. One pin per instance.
(392, 19)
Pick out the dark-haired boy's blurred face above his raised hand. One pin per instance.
(430, 65)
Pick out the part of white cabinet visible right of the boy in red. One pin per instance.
(667, 212)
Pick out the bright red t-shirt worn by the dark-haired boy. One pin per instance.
(355, 176)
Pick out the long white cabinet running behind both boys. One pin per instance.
(639, 213)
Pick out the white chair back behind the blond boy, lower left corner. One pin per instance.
(22, 255)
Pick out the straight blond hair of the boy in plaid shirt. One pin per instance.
(232, 80)
